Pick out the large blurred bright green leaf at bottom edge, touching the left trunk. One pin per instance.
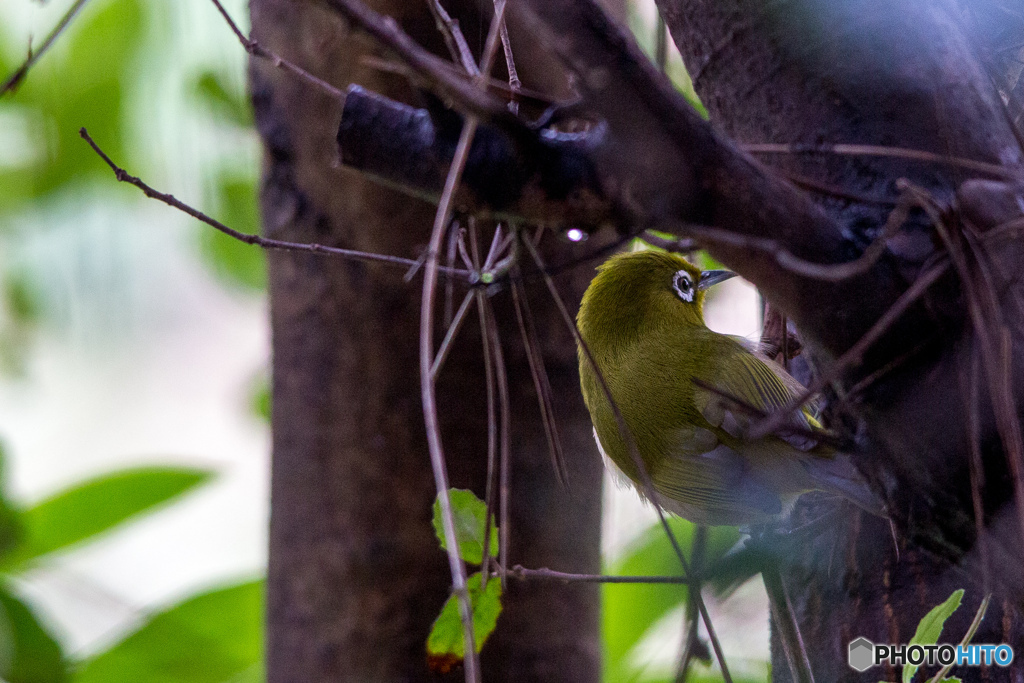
(211, 638)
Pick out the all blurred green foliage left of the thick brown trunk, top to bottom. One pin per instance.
(93, 78)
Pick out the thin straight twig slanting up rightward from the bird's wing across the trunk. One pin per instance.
(855, 355)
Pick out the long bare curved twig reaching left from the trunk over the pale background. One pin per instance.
(265, 243)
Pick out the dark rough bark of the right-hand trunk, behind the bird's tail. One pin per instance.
(909, 75)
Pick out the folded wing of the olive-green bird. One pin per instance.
(744, 379)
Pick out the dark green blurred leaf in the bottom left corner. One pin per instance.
(28, 653)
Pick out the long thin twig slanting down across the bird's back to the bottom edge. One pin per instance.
(646, 481)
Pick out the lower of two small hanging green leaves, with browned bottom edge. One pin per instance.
(446, 646)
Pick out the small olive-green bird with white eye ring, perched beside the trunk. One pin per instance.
(643, 319)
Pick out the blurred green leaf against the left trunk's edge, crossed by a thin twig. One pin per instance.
(235, 262)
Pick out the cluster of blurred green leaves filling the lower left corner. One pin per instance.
(212, 637)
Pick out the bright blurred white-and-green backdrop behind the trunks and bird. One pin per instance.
(135, 362)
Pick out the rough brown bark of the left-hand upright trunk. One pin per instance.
(356, 573)
